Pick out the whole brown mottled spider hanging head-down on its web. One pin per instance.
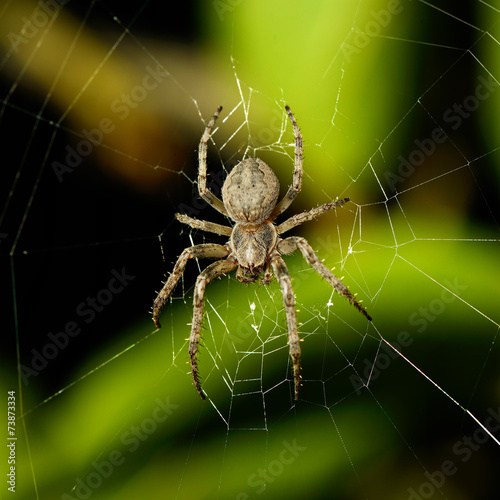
(250, 199)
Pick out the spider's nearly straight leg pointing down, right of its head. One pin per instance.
(281, 271)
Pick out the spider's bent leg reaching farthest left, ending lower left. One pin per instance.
(196, 251)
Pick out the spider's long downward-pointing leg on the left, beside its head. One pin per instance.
(206, 276)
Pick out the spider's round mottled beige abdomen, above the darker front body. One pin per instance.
(250, 192)
